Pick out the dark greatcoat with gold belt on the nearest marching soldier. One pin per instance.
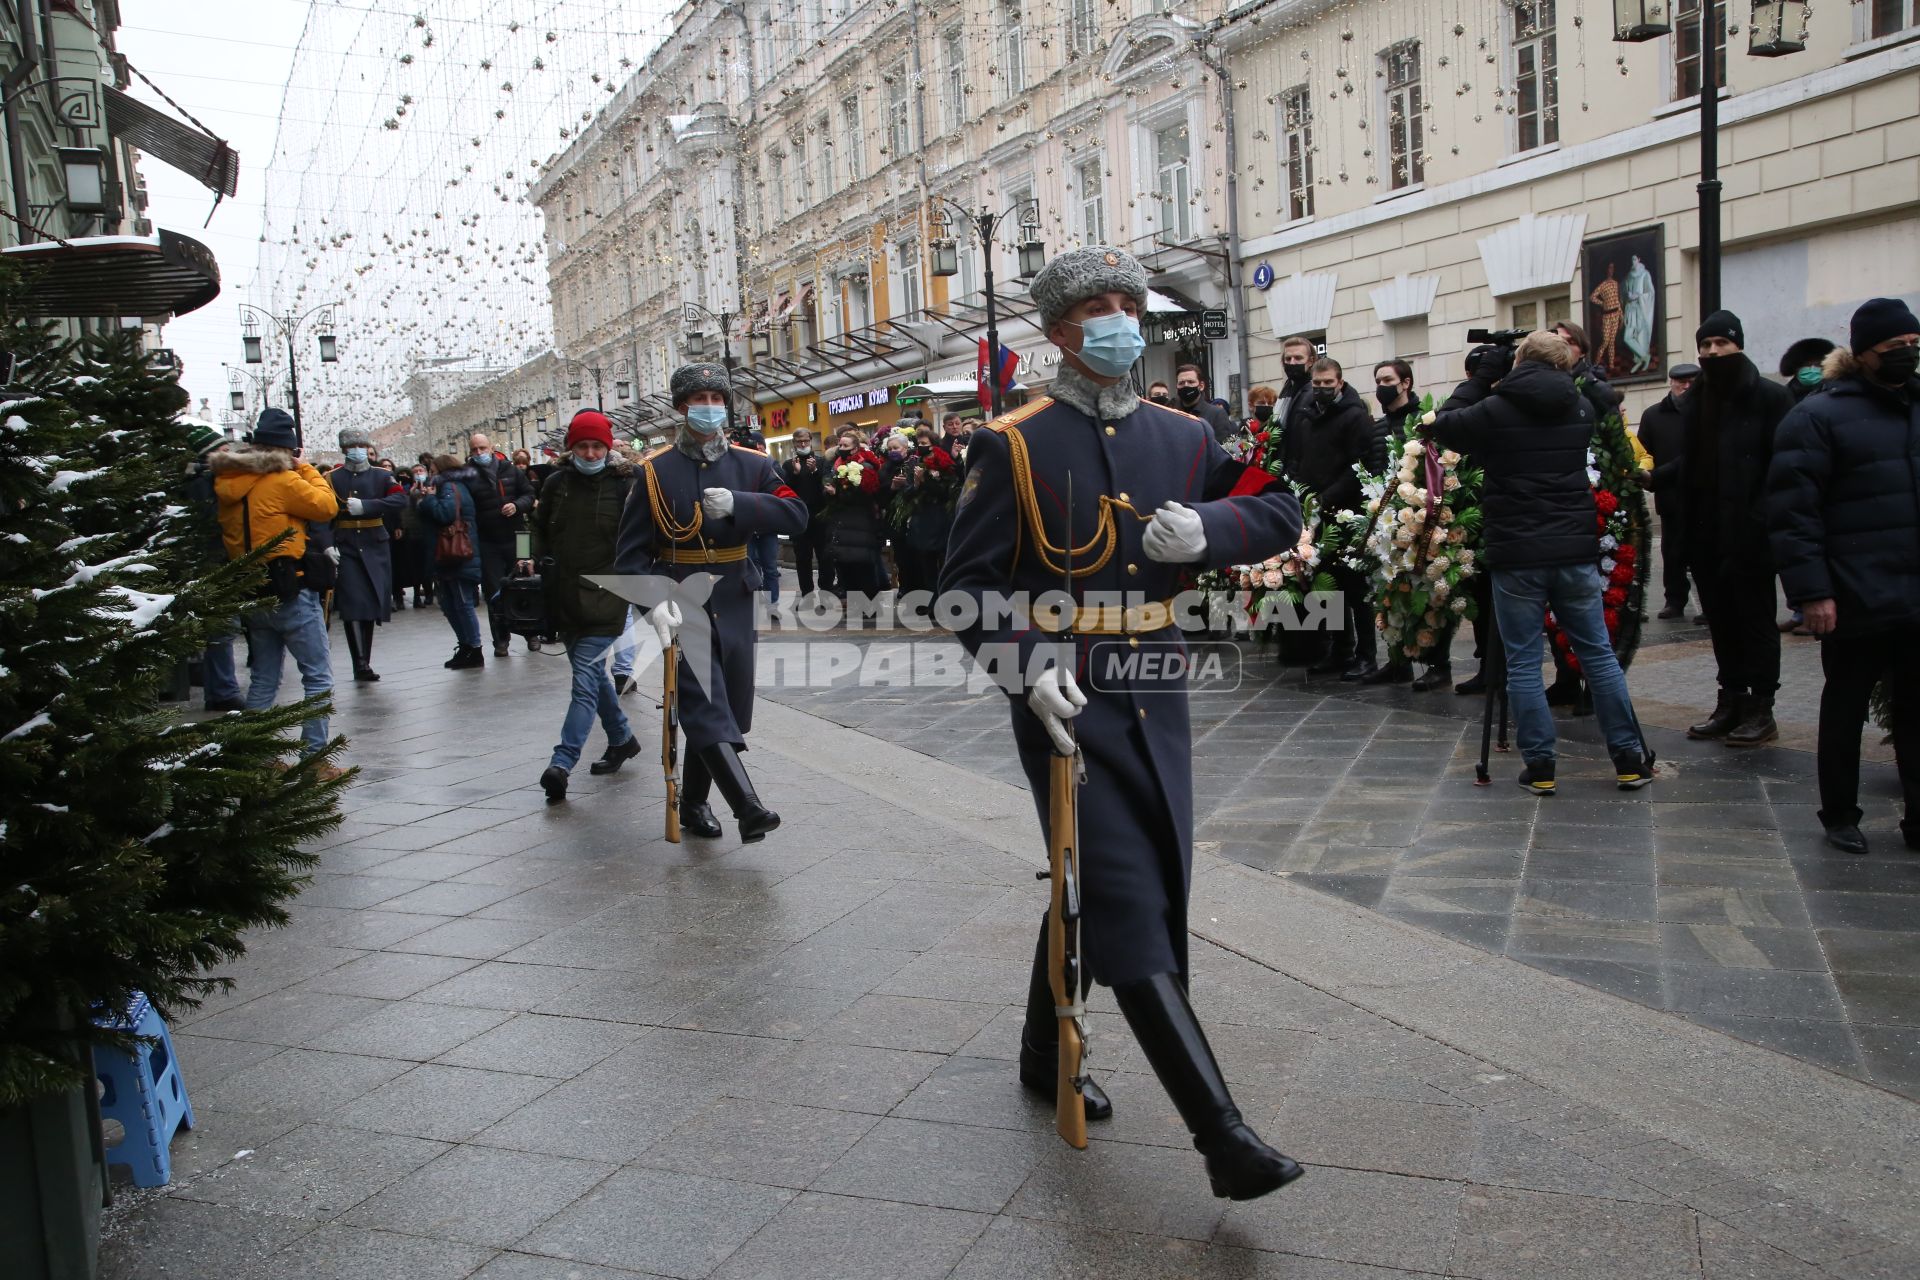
(1136, 809)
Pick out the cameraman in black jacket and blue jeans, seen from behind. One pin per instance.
(1529, 437)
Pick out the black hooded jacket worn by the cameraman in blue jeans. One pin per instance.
(1531, 440)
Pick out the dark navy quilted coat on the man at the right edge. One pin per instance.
(1844, 502)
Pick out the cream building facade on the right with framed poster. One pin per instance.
(1422, 170)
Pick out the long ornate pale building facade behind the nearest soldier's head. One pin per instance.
(784, 166)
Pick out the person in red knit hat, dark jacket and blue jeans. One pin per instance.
(575, 529)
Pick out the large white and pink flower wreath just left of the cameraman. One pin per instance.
(1416, 538)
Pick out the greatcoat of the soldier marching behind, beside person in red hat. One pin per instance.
(715, 705)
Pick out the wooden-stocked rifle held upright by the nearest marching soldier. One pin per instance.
(1065, 776)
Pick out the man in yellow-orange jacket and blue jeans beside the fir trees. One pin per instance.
(266, 490)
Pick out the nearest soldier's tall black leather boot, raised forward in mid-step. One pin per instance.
(1237, 1162)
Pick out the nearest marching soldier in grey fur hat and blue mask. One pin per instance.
(1124, 498)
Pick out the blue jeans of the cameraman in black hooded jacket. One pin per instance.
(1522, 602)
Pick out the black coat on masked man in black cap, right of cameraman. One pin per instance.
(1721, 471)
